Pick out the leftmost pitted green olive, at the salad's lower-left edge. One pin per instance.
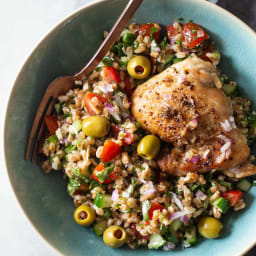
(84, 215)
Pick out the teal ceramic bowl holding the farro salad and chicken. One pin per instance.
(64, 51)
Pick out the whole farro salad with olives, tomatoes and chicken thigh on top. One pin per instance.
(135, 180)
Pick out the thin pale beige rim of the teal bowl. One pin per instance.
(55, 27)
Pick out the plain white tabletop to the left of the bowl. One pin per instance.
(22, 23)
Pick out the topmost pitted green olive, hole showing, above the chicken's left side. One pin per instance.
(139, 67)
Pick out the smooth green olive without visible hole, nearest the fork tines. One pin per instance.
(95, 126)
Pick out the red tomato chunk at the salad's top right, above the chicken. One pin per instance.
(194, 34)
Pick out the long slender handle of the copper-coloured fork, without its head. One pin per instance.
(112, 37)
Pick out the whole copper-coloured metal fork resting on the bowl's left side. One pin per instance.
(63, 84)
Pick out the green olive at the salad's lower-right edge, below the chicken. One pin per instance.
(209, 227)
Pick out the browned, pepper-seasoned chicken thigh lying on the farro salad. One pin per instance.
(184, 107)
